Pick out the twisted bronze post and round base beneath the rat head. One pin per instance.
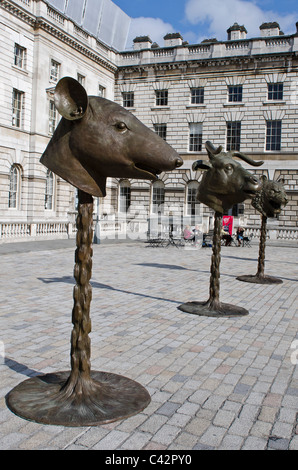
(81, 397)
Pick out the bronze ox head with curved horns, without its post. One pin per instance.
(225, 182)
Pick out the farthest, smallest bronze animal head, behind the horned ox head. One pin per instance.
(271, 198)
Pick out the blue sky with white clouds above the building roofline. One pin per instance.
(200, 19)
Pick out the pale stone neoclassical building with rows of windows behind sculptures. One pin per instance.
(241, 93)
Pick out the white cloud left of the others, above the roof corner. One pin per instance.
(155, 28)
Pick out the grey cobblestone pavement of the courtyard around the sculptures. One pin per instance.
(215, 383)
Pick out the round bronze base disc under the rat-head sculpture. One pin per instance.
(41, 399)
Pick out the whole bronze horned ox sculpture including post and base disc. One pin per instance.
(225, 183)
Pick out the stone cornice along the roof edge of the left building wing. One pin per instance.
(41, 23)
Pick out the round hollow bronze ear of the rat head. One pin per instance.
(71, 99)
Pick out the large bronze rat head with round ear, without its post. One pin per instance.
(97, 138)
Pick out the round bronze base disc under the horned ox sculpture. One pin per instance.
(204, 309)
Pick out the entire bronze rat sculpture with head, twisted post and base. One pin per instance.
(95, 139)
